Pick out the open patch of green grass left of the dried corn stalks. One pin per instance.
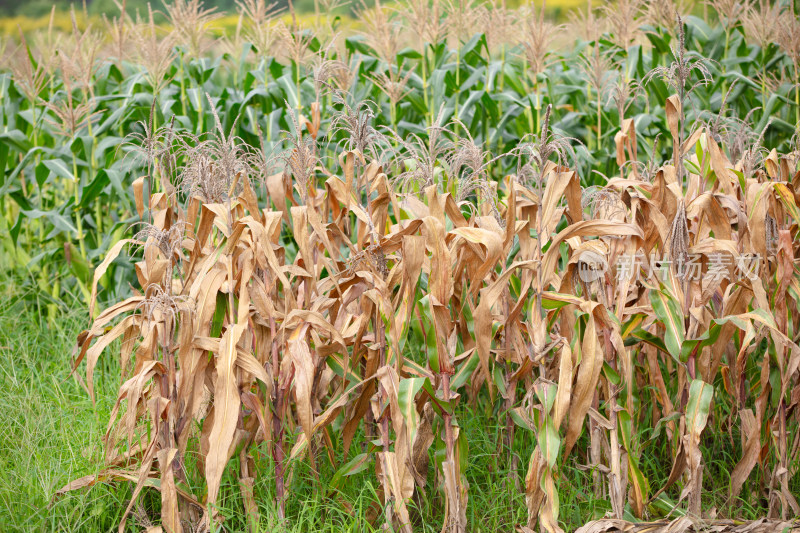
(50, 431)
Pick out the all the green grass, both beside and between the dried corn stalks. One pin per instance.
(52, 434)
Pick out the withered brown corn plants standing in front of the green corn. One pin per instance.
(253, 317)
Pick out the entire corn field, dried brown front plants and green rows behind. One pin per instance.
(315, 246)
